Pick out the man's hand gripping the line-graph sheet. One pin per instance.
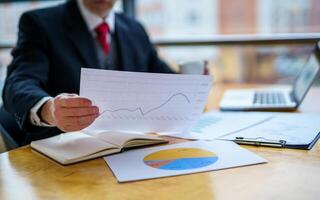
(69, 112)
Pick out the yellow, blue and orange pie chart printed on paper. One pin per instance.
(180, 159)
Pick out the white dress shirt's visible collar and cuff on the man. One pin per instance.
(92, 21)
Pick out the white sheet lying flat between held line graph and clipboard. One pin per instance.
(215, 124)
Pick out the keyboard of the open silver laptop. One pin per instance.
(269, 98)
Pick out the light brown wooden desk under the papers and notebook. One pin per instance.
(290, 174)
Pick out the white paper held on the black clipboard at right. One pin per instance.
(294, 128)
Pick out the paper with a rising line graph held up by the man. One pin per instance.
(145, 102)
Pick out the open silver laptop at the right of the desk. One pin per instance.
(275, 99)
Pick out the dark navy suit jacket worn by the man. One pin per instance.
(53, 44)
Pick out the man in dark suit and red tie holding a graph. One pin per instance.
(42, 81)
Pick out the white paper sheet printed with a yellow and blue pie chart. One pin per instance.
(177, 159)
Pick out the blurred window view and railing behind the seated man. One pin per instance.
(245, 41)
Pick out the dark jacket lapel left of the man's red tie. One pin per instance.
(79, 35)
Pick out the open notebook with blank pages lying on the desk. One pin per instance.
(74, 147)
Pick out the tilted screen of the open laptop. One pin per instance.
(306, 77)
